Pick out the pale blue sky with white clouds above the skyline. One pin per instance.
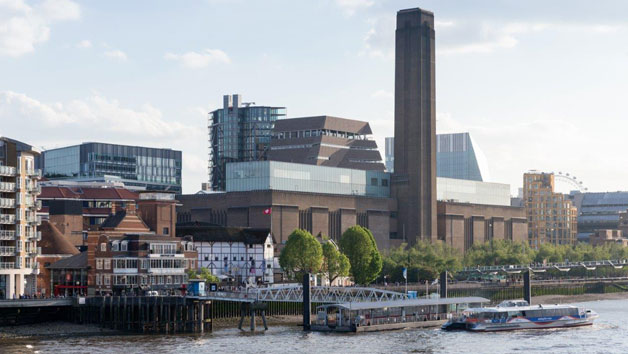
(538, 84)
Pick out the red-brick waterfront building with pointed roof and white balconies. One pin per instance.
(128, 255)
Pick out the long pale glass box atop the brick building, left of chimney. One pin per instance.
(275, 175)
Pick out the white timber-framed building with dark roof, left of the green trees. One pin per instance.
(243, 254)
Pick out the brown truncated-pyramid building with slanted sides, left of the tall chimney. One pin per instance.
(325, 141)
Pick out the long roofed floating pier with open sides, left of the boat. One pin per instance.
(389, 315)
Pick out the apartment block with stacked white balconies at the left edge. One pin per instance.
(19, 222)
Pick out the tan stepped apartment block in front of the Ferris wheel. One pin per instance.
(551, 216)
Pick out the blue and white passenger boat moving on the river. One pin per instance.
(518, 314)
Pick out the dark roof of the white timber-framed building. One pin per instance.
(205, 232)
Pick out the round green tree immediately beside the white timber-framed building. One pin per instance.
(302, 253)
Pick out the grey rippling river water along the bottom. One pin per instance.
(607, 335)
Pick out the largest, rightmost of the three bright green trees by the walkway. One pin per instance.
(359, 245)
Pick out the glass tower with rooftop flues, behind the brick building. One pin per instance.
(240, 131)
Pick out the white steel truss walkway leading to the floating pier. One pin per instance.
(319, 294)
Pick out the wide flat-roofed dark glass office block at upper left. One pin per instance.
(138, 168)
